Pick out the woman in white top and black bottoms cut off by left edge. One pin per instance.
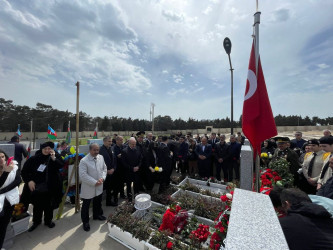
(9, 193)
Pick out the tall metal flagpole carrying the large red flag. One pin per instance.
(256, 36)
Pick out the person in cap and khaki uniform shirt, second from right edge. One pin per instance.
(312, 165)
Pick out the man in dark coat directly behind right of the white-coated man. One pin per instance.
(109, 184)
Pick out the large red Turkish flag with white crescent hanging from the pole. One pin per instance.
(257, 121)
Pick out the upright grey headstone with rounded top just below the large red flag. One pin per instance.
(246, 168)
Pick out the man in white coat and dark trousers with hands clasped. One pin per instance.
(92, 170)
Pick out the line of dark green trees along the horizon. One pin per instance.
(44, 114)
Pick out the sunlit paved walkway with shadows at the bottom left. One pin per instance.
(68, 234)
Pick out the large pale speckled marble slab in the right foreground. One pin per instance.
(253, 223)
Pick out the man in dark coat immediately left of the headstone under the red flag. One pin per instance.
(234, 161)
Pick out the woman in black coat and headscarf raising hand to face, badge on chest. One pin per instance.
(43, 183)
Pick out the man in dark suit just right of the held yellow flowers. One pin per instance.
(164, 161)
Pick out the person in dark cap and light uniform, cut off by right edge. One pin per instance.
(326, 144)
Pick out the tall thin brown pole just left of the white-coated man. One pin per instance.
(77, 193)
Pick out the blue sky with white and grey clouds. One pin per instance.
(130, 53)
